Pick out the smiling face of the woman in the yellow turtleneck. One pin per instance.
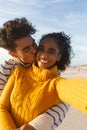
(48, 53)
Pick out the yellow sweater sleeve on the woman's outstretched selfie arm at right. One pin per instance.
(74, 92)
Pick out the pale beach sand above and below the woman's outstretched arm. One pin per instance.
(74, 120)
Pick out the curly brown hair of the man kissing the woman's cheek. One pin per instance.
(13, 30)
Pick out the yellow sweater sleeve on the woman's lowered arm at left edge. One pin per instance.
(6, 122)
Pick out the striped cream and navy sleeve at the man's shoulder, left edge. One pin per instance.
(5, 71)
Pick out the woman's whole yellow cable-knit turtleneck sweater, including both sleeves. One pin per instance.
(31, 91)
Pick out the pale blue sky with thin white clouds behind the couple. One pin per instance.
(69, 16)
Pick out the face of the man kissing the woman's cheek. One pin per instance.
(26, 49)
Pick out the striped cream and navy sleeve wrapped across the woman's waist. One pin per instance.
(52, 118)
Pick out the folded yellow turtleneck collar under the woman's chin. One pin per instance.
(44, 74)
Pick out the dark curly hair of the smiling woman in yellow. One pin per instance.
(64, 45)
